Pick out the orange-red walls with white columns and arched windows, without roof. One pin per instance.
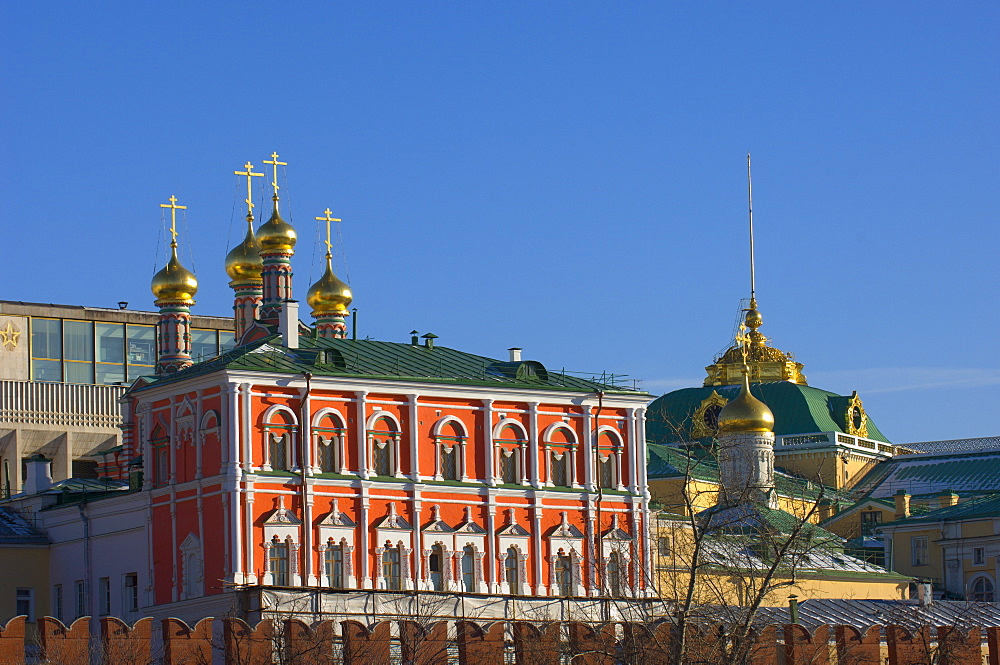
(346, 483)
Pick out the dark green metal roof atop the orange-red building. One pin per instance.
(385, 360)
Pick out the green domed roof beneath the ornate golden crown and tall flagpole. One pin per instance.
(797, 409)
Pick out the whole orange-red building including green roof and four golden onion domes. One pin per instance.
(303, 459)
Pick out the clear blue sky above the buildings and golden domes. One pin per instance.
(565, 177)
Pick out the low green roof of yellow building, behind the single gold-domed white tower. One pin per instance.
(665, 462)
